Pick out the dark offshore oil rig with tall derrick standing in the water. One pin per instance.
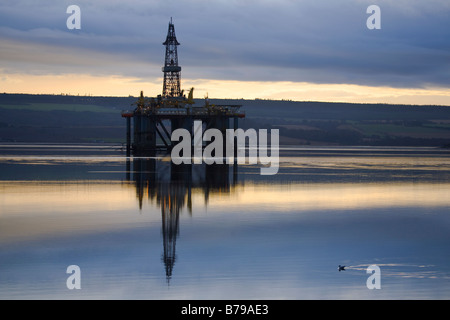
(160, 116)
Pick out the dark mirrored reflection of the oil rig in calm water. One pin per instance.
(171, 187)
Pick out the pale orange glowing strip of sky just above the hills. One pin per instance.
(85, 85)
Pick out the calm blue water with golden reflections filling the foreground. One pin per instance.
(143, 228)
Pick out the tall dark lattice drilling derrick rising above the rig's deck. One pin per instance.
(171, 69)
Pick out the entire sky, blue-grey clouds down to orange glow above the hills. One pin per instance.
(283, 49)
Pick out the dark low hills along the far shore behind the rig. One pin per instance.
(64, 118)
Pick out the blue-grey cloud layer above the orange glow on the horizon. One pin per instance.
(312, 41)
